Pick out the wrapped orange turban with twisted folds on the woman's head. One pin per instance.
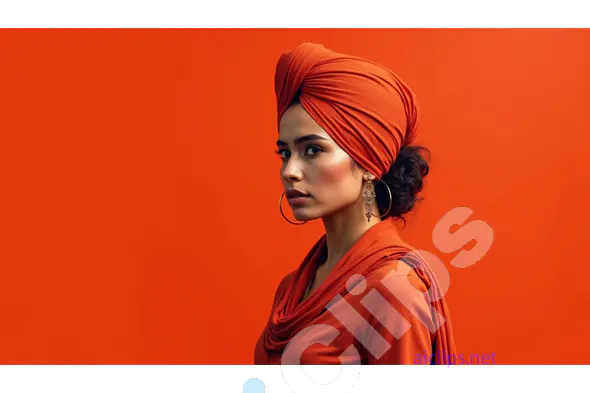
(363, 106)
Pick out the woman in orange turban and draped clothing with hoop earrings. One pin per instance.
(360, 296)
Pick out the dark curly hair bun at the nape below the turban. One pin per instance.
(405, 179)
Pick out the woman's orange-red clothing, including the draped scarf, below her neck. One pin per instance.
(371, 309)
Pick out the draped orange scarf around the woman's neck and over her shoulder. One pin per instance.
(378, 246)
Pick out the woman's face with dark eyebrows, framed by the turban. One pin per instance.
(315, 165)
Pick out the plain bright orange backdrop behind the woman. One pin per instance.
(139, 207)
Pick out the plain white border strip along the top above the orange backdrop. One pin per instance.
(300, 13)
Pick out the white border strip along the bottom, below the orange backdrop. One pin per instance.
(232, 379)
